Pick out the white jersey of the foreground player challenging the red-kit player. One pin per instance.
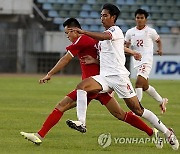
(111, 53)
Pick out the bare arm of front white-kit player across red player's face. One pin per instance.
(96, 35)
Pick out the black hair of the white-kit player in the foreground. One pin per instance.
(113, 10)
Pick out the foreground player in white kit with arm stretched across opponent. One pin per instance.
(113, 75)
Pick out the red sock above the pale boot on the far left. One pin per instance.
(51, 120)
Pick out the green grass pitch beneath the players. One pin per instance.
(25, 104)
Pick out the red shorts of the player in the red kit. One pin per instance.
(104, 98)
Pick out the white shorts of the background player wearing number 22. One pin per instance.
(143, 70)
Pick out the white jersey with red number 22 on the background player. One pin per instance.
(142, 42)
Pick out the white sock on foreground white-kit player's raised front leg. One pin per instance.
(81, 105)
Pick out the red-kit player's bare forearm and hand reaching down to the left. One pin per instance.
(59, 66)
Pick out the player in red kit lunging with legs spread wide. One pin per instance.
(83, 46)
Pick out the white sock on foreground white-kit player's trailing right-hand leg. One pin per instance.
(153, 119)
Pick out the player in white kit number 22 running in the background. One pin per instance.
(141, 38)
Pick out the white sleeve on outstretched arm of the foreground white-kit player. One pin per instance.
(115, 32)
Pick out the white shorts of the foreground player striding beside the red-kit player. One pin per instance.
(120, 84)
